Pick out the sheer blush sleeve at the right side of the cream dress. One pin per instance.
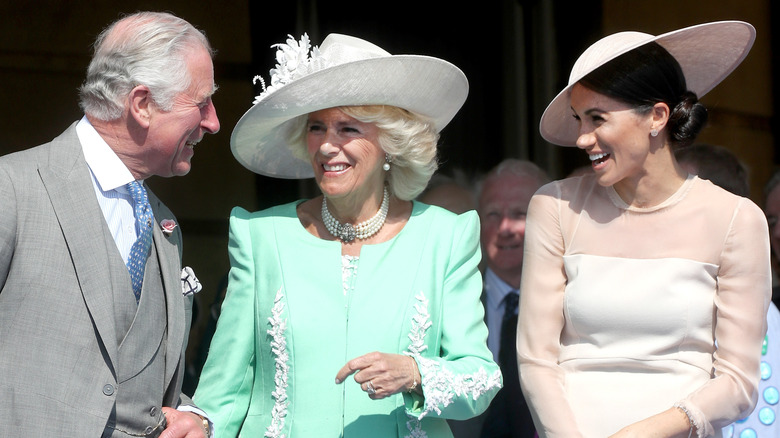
(742, 300)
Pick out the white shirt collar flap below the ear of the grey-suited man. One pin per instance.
(109, 171)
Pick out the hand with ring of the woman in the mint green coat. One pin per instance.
(382, 374)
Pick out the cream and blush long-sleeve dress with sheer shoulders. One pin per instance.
(622, 308)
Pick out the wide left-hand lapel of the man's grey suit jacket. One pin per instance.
(72, 195)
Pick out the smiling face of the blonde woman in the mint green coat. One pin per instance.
(345, 155)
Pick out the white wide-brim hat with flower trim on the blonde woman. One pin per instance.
(342, 71)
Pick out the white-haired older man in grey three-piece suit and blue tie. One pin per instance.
(93, 315)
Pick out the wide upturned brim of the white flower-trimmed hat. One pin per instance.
(429, 86)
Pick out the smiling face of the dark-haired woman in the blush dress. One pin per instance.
(614, 135)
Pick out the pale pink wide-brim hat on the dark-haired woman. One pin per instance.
(706, 52)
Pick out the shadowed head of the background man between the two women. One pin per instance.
(503, 205)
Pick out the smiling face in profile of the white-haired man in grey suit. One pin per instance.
(173, 134)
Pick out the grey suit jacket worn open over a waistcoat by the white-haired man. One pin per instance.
(58, 343)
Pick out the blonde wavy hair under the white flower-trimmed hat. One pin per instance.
(409, 140)
